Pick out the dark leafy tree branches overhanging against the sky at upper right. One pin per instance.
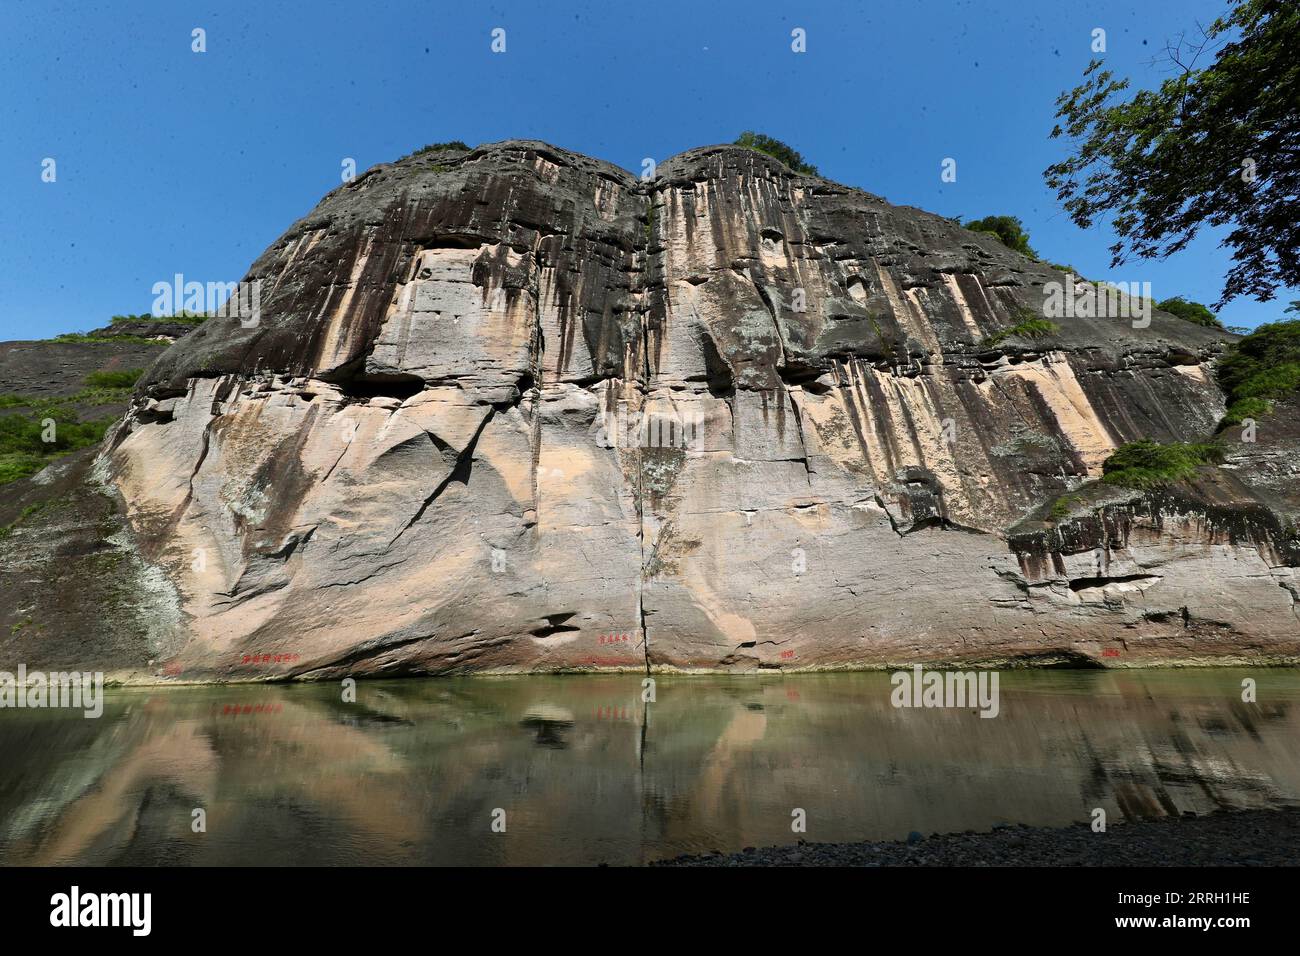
(1216, 145)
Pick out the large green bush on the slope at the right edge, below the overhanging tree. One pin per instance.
(1260, 369)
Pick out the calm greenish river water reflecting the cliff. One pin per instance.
(587, 773)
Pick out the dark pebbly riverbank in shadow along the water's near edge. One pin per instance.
(1245, 838)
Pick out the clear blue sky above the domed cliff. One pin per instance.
(177, 162)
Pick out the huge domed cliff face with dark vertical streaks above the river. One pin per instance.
(513, 409)
